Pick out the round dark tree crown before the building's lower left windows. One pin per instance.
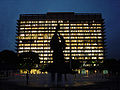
(28, 60)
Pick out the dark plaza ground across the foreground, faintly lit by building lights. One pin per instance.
(78, 82)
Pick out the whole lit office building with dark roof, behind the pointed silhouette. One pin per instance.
(83, 34)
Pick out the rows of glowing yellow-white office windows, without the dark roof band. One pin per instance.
(85, 40)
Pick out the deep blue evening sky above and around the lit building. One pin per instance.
(110, 9)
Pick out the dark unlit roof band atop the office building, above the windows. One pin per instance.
(62, 16)
